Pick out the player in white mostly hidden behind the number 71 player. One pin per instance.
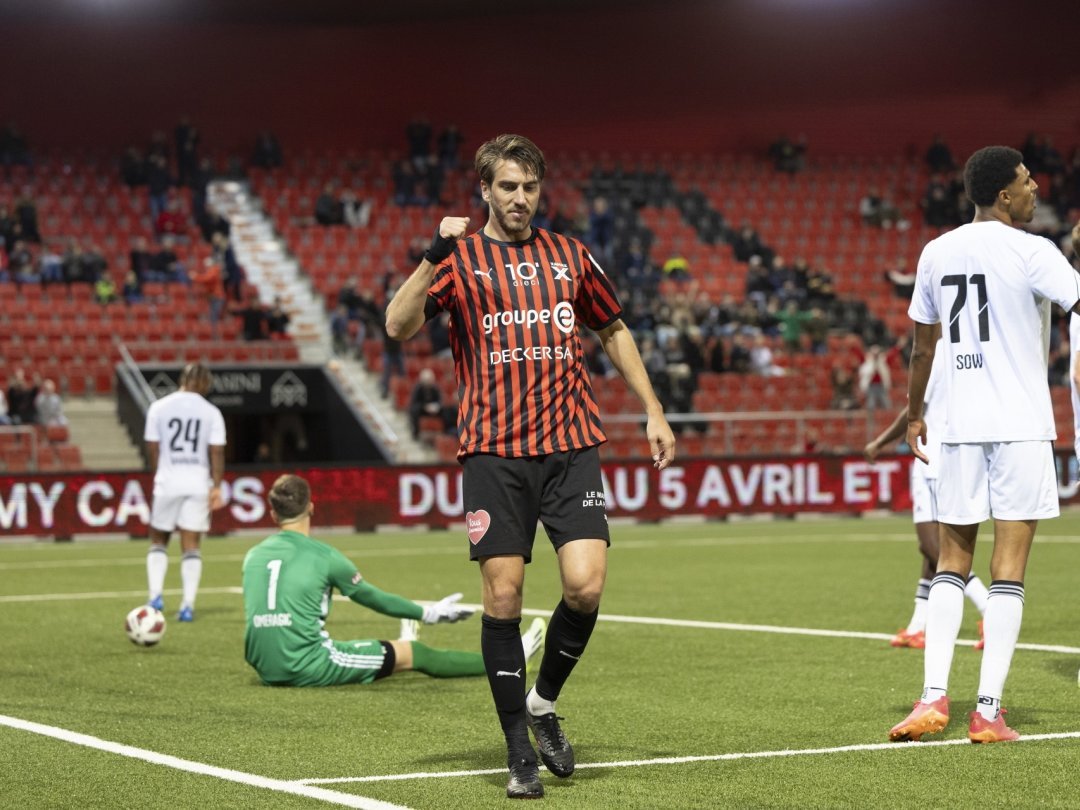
(925, 510)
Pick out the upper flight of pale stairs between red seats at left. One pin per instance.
(272, 269)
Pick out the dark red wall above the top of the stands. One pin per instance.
(856, 77)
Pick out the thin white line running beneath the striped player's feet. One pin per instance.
(693, 760)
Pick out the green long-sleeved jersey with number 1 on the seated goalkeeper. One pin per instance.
(289, 580)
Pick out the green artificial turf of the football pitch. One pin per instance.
(644, 692)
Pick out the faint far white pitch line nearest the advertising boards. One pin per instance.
(686, 543)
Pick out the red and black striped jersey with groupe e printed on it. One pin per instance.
(515, 309)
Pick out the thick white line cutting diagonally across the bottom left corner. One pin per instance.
(296, 789)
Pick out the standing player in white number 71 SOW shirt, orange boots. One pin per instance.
(991, 287)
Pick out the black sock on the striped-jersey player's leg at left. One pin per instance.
(505, 661)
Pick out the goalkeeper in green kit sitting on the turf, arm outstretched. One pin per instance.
(289, 580)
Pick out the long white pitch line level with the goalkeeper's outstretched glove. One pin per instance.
(734, 627)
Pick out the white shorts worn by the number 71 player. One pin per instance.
(1009, 481)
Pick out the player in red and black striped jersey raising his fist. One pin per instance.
(531, 428)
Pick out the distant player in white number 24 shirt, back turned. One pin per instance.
(185, 441)
